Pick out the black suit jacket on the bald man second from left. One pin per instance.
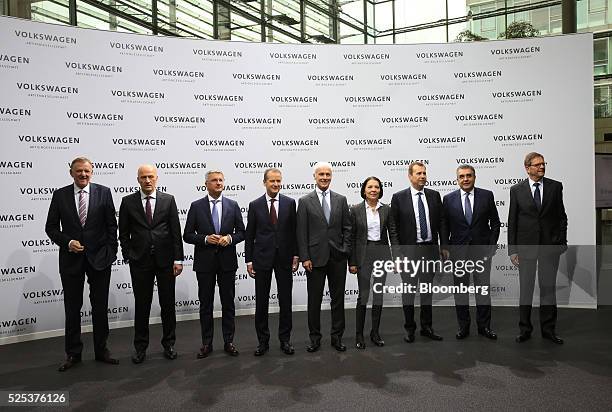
(137, 236)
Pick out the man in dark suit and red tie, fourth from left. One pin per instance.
(270, 244)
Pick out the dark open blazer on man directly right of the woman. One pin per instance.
(402, 230)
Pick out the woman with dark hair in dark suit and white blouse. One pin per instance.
(370, 240)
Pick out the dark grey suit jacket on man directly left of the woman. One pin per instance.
(315, 237)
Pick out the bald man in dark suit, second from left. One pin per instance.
(150, 236)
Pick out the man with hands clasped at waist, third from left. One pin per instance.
(214, 225)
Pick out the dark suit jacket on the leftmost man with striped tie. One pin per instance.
(98, 236)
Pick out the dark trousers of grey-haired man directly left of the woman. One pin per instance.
(335, 271)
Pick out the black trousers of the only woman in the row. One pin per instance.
(374, 251)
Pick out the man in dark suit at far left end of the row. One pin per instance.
(81, 221)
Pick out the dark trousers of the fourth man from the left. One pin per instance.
(284, 287)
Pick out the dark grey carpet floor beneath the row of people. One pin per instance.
(474, 374)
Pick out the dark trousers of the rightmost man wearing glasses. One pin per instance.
(546, 266)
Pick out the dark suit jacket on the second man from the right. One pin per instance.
(483, 232)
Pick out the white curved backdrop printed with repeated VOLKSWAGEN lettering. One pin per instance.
(192, 105)
